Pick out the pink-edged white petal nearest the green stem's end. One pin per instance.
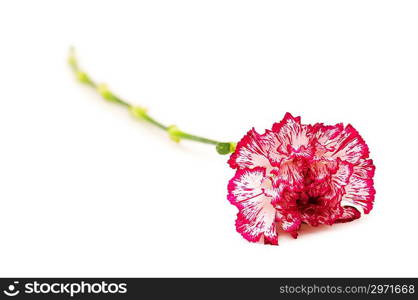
(251, 151)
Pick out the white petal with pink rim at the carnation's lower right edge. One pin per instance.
(359, 193)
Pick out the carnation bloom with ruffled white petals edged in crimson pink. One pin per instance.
(299, 174)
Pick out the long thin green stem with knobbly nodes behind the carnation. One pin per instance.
(141, 113)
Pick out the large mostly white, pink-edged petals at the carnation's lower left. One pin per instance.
(256, 216)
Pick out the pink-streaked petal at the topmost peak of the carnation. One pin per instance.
(294, 138)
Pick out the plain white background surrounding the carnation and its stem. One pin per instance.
(86, 190)
